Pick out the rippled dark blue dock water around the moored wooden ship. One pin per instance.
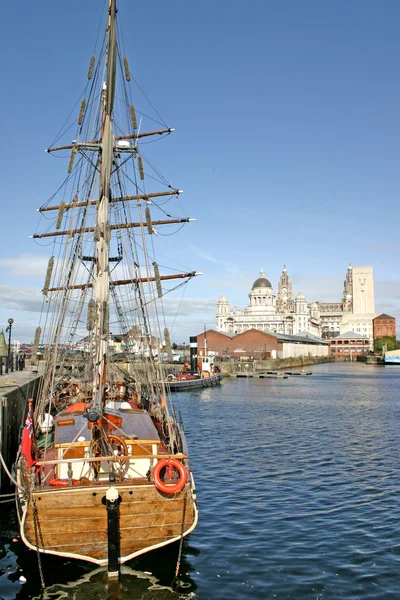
(298, 486)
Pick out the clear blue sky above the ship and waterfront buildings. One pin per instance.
(286, 143)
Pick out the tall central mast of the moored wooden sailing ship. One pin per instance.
(102, 229)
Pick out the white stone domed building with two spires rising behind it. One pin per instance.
(268, 312)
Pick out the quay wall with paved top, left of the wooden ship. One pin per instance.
(15, 389)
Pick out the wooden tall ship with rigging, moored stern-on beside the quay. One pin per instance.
(103, 469)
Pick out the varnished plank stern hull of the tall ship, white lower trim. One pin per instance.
(72, 522)
